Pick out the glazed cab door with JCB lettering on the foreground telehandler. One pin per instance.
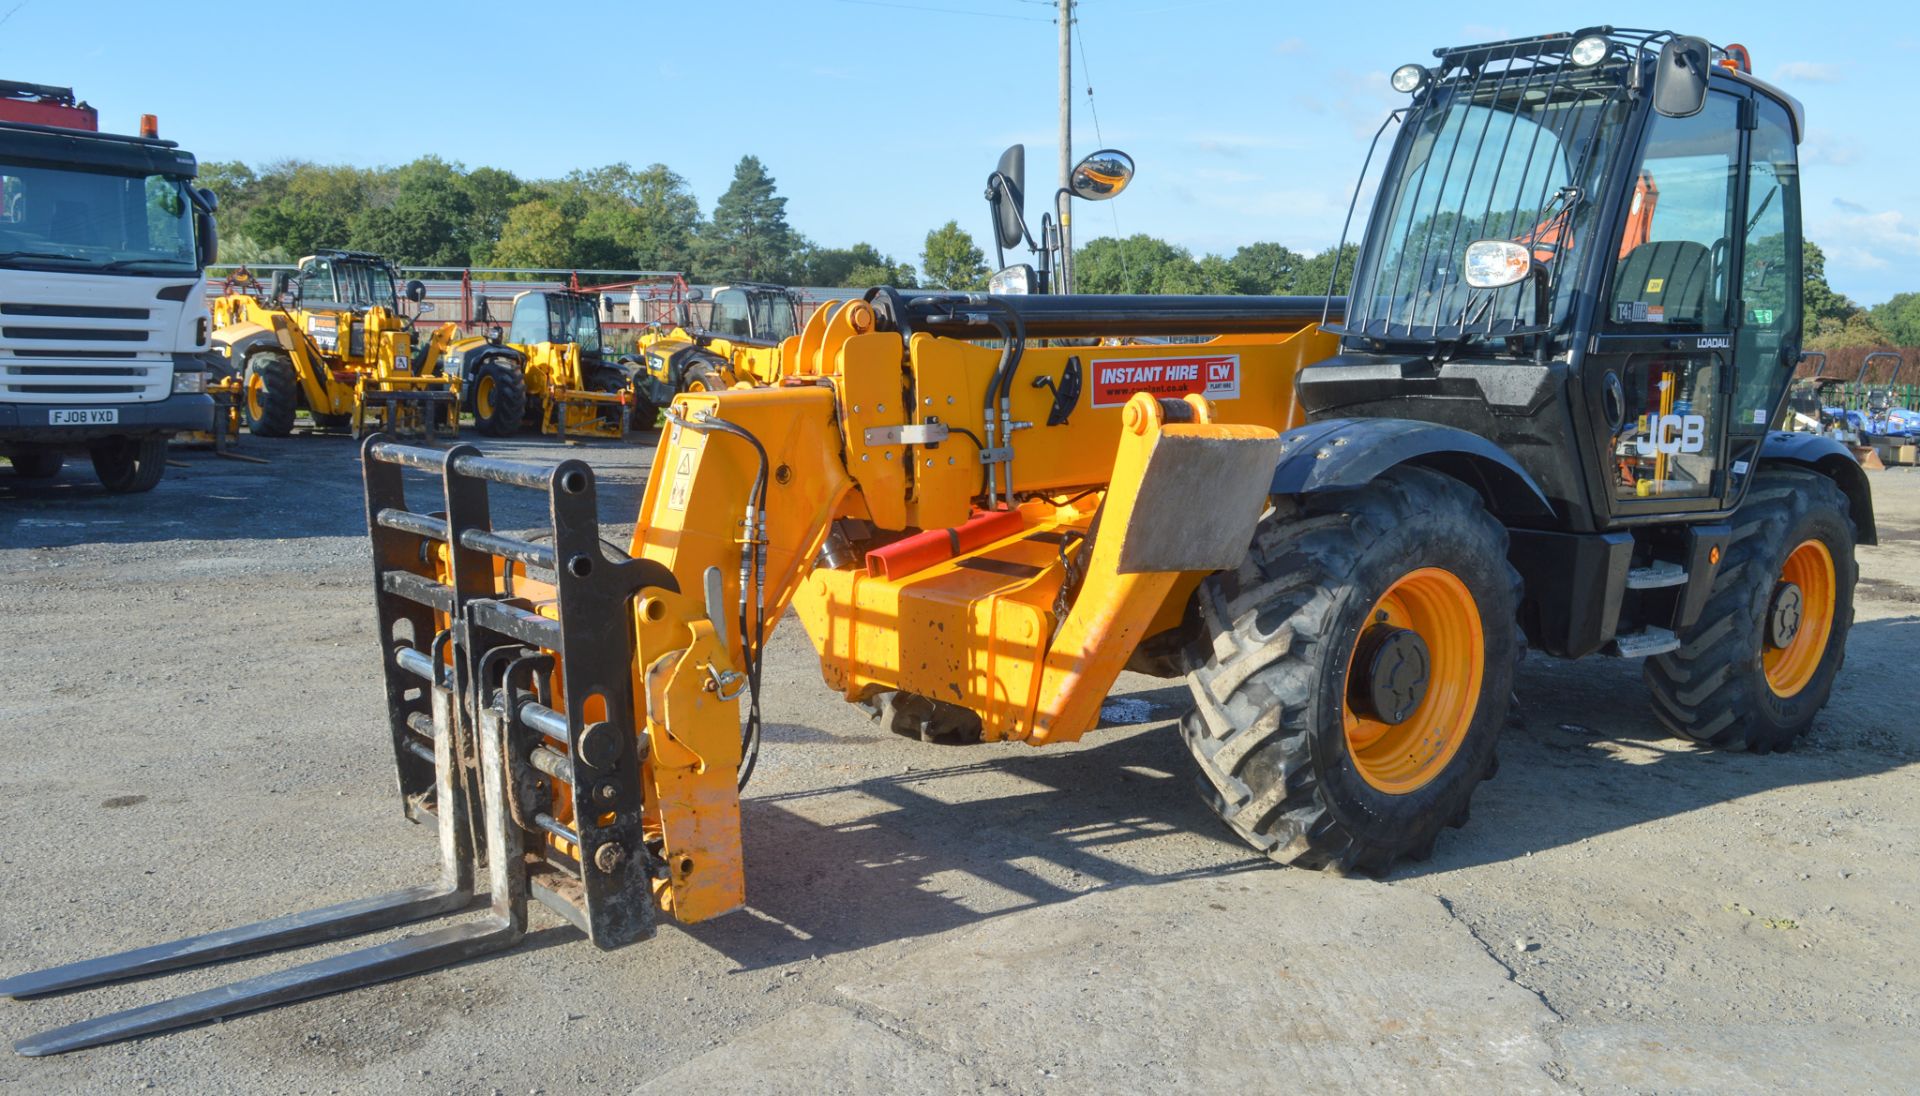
(1664, 356)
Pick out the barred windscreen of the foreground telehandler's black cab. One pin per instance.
(1516, 149)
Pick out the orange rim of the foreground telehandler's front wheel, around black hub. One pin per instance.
(1403, 757)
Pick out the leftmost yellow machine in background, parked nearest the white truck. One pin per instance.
(333, 341)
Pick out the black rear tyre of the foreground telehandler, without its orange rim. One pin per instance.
(1716, 688)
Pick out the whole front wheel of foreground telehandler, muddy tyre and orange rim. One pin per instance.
(1358, 675)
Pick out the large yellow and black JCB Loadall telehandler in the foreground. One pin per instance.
(1337, 517)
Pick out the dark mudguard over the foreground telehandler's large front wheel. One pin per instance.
(1351, 452)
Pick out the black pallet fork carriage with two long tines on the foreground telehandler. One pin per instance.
(468, 673)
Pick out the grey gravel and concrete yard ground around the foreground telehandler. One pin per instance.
(195, 736)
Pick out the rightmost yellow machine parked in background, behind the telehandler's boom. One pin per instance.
(742, 343)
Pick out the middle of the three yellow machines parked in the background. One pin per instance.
(550, 368)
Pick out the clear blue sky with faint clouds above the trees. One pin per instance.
(882, 118)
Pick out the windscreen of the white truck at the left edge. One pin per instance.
(99, 222)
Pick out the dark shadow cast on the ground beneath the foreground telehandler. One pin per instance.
(903, 861)
